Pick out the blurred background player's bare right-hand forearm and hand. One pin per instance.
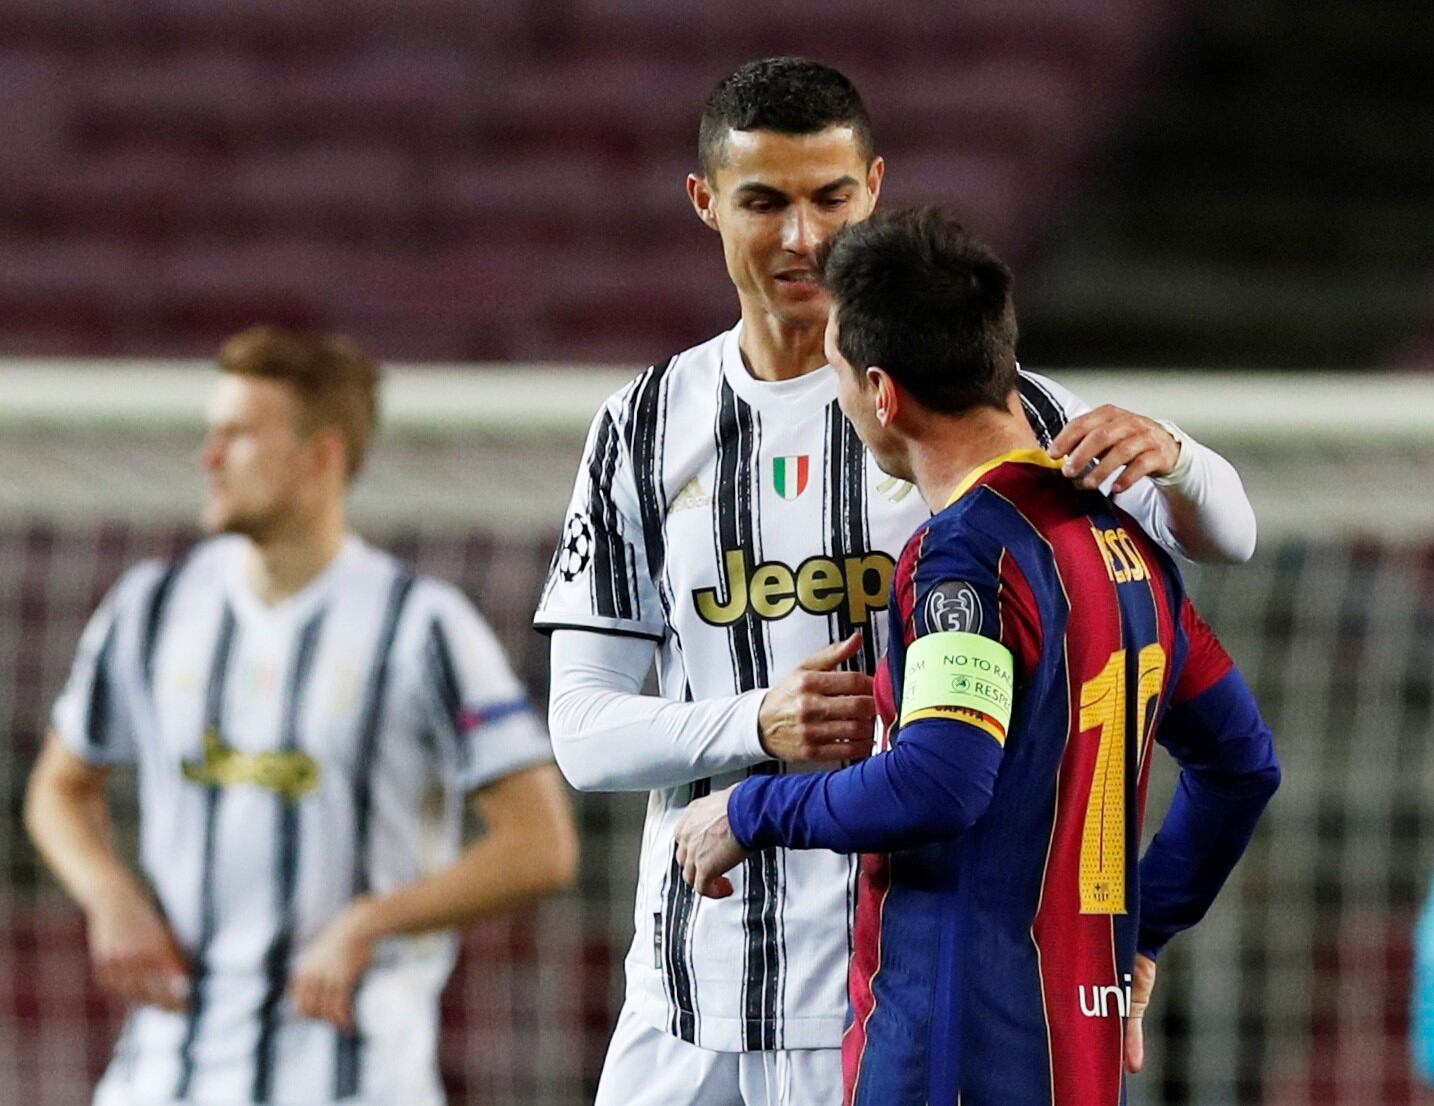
(528, 853)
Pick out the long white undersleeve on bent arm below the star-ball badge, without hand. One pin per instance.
(609, 737)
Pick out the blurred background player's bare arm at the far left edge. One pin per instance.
(67, 814)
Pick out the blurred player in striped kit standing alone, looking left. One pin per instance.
(309, 719)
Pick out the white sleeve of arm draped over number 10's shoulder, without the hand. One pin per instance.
(1201, 511)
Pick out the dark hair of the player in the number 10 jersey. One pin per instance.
(920, 298)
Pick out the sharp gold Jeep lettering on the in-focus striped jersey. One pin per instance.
(818, 586)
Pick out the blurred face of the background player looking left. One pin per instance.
(255, 455)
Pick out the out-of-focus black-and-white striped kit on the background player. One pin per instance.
(292, 758)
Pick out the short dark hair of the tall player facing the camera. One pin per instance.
(788, 95)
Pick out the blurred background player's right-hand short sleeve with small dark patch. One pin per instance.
(474, 704)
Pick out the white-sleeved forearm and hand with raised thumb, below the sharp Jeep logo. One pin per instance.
(609, 737)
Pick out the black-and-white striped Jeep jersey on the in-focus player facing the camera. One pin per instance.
(742, 526)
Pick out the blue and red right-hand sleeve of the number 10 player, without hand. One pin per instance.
(1228, 774)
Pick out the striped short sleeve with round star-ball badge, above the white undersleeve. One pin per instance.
(600, 576)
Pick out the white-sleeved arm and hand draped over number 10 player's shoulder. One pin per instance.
(1184, 494)
